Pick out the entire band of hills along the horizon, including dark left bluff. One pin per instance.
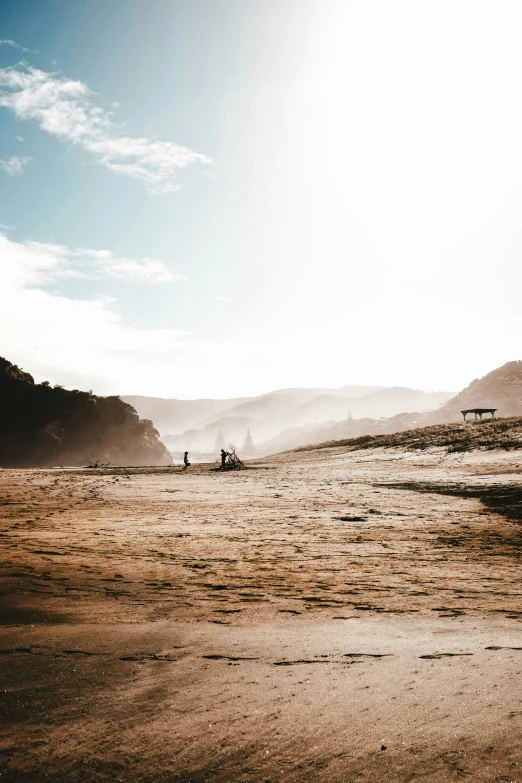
(41, 425)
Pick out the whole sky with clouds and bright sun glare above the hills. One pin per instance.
(217, 198)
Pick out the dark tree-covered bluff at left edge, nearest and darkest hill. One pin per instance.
(42, 425)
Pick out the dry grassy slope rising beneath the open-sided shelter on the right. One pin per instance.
(464, 436)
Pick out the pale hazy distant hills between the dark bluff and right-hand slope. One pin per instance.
(196, 424)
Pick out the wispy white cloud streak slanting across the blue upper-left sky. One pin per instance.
(65, 108)
